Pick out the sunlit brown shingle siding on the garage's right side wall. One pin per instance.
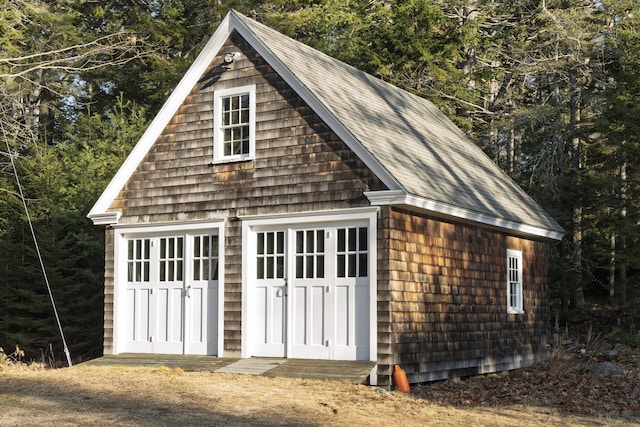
(444, 285)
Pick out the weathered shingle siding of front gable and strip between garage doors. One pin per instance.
(300, 165)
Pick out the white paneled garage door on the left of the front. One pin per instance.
(169, 303)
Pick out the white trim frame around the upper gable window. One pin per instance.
(218, 136)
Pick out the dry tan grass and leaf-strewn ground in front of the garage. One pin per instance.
(551, 395)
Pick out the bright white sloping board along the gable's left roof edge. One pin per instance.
(161, 120)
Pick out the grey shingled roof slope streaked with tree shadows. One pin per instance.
(423, 151)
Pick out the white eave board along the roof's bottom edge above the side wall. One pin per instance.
(400, 198)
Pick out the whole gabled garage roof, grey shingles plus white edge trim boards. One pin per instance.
(422, 158)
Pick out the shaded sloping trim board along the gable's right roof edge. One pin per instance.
(318, 107)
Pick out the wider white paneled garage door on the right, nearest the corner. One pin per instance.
(309, 294)
